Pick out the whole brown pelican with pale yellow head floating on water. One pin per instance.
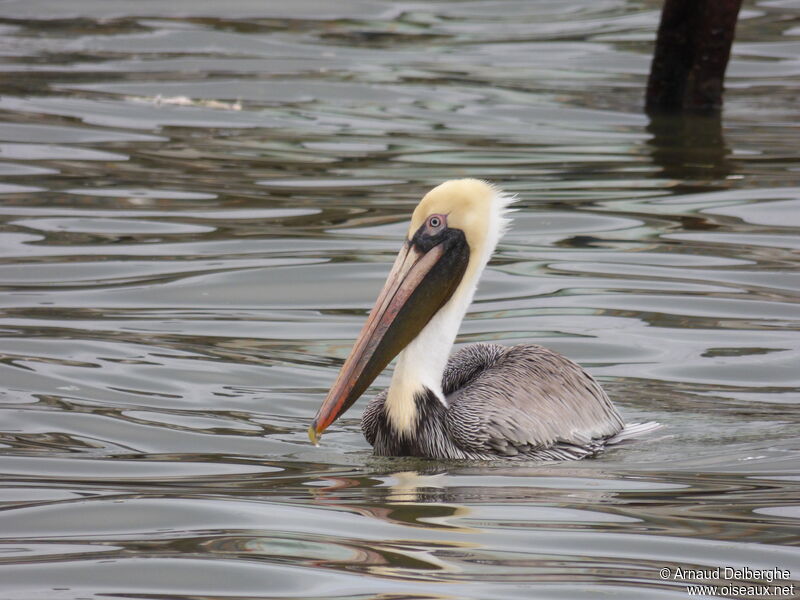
(487, 401)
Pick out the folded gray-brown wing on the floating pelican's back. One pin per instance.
(526, 398)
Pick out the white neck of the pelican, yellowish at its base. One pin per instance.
(421, 364)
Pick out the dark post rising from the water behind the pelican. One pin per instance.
(692, 51)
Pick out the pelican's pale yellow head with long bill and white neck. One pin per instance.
(452, 234)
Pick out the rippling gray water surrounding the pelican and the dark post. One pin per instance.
(199, 202)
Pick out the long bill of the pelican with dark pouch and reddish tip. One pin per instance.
(419, 283)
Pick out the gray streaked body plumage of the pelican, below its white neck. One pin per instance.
(521, 402)
